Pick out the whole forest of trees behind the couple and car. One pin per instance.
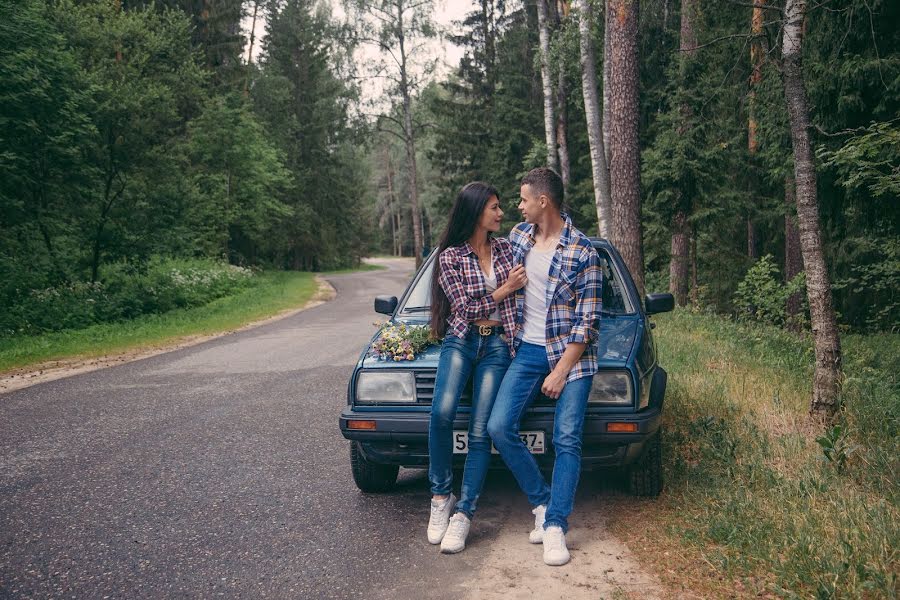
(136, 133)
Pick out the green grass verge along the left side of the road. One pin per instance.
(274, 292)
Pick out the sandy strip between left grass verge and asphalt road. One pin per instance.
(23, 377)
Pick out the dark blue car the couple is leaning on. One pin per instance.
(389, 403)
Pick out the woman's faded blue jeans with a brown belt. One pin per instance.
(486, 359)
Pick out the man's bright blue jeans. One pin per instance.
(520, 386)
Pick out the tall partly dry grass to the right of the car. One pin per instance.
(752, 508)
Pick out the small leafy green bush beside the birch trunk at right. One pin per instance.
(762, 296)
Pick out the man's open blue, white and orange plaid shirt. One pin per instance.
(573, 295)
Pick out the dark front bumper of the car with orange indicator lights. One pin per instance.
(401, 438)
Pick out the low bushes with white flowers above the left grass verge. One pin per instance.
(125, 291)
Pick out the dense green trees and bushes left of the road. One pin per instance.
(129, 131)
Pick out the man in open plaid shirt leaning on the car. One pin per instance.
(558, 315)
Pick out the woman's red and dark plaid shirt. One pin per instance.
(462, 280)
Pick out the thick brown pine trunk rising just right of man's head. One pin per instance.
(624, 169)
